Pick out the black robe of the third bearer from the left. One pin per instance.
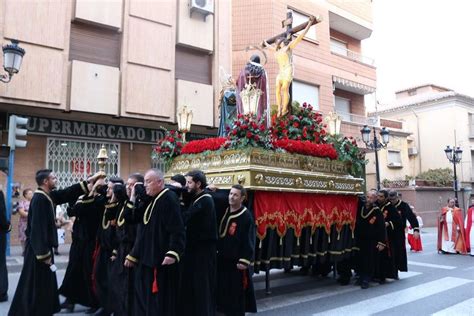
(106, 243)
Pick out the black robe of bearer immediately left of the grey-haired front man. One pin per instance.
(121, 277)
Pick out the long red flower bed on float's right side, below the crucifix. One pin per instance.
(306, 148)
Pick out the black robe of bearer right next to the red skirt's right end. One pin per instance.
(369, 232)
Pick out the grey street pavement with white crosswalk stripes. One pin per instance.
(435, 284)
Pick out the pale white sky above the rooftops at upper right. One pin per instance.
(416, 42)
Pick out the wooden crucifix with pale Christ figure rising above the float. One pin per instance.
(283, 45)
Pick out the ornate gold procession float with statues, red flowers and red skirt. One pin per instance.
(303, 177)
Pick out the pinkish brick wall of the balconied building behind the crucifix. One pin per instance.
(254, 21)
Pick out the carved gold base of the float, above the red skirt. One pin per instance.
(259, 169)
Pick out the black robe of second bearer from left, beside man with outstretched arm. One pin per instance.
(77, 284)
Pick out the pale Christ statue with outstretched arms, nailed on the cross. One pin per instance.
(283, 49)
